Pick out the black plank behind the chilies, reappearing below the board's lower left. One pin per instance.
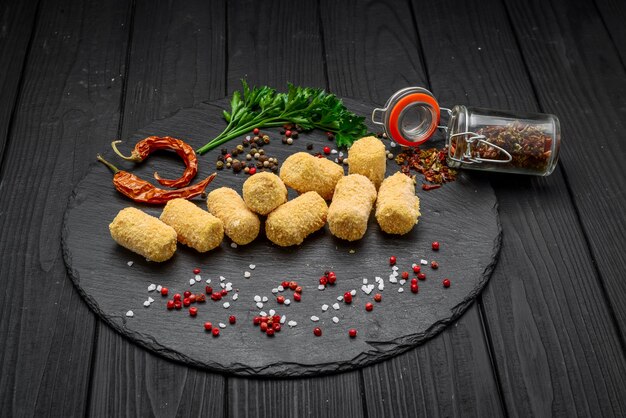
(176, 60)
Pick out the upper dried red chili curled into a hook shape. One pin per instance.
(146, 146)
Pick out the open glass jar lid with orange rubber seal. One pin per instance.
(410, 116)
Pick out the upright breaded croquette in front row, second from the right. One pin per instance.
(350, 209)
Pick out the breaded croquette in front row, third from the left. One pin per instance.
(240, 223)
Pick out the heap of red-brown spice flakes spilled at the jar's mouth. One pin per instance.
(431, 163)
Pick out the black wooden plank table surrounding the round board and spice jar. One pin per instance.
(546, 337)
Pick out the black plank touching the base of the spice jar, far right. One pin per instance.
(578, 76)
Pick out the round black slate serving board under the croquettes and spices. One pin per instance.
(461, 215)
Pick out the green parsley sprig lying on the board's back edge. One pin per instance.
(264, 107)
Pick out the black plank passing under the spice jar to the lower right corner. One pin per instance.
(555, 345)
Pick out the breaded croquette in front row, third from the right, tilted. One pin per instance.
(292, 222)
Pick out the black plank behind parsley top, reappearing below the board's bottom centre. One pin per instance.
(275, 54)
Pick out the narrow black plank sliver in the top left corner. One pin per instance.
(17, 20)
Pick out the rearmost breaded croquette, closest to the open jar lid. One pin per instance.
(367, 156)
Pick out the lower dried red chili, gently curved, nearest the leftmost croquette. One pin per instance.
(141, 191)
